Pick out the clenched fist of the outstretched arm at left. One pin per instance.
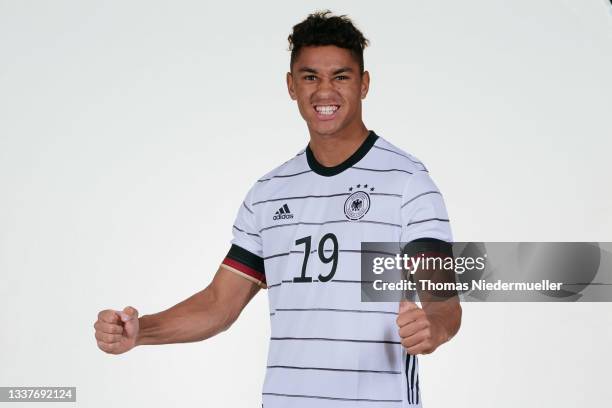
(116, 331)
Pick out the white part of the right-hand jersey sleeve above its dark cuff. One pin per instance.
(423, 211)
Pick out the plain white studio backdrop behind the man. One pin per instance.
(130, 132)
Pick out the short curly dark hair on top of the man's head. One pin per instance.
(323, 28)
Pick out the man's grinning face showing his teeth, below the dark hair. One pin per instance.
(327, 84)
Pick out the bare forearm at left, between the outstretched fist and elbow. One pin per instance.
(197, 318)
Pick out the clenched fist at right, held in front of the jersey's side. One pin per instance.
(419, 333)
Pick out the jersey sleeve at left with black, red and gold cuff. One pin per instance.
(245, 256)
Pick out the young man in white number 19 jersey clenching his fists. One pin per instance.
(298, 234)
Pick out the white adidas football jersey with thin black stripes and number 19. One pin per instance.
(298, 233)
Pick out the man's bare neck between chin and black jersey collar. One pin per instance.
(333, 149)
